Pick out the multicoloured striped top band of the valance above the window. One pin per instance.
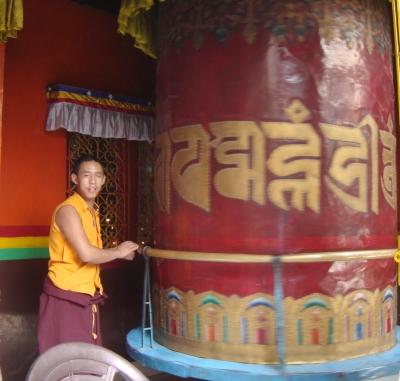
(98, 100)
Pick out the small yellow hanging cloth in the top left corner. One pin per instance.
(11, 18)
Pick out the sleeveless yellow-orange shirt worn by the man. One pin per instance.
(66, 270)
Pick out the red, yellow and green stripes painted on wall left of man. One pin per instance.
(23, 242)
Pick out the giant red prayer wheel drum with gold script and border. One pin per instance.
(275, 180)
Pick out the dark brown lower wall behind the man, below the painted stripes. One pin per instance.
(20, 288)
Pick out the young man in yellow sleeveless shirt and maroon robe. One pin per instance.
(72, 290)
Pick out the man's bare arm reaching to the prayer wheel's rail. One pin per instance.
(70, 225)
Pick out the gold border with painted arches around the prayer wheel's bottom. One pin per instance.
(210, 325)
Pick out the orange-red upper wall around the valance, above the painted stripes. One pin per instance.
(62, 42)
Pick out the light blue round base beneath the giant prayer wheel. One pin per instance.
(384, 366)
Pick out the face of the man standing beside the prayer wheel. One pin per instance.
(89, 180)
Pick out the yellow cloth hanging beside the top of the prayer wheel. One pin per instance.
(135, 22)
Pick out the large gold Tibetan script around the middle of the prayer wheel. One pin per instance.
(277, 162)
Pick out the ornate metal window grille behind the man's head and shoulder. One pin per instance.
(113, 154)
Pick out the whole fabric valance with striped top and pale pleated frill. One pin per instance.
(99, 114)
